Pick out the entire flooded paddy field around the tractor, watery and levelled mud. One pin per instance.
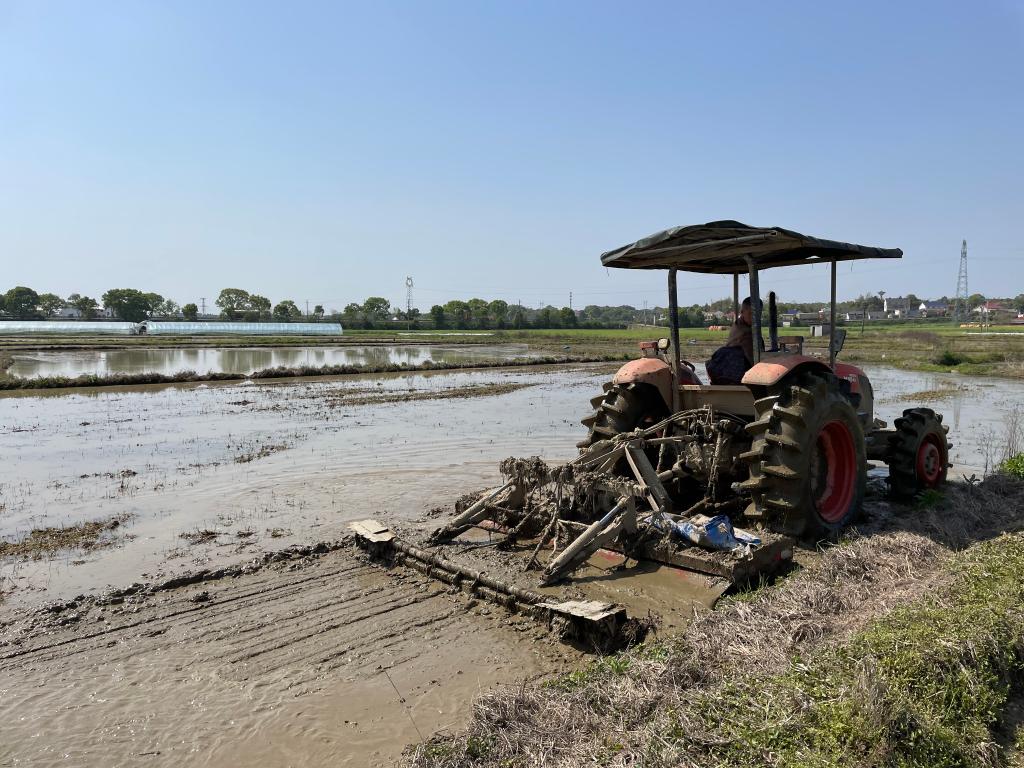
(311, 656)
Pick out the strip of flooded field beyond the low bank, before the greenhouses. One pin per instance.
(246, 361)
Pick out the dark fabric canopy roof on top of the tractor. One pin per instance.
(723, 247)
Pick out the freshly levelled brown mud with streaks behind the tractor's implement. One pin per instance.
(298, 656)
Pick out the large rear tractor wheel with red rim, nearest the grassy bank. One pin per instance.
(807, 459)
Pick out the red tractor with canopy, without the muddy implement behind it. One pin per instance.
(792, 441)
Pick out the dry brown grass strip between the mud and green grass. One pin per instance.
(650, 706)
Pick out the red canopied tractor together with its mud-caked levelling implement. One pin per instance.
(671, 467)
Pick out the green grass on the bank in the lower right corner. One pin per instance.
(923, 687)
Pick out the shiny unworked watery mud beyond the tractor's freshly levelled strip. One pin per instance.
(265, 465)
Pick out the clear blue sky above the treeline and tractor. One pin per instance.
(325, 151)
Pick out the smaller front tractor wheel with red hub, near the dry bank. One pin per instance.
(919, 453)
